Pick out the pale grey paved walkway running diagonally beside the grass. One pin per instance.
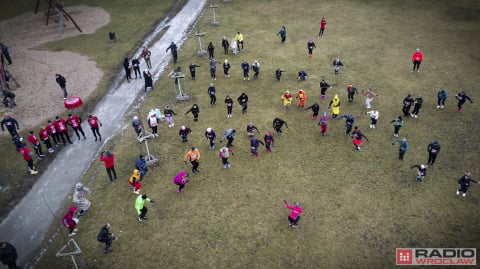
(26, 225)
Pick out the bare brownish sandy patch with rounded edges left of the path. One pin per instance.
(39, 96)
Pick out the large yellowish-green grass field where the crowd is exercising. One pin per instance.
(358, 206)
